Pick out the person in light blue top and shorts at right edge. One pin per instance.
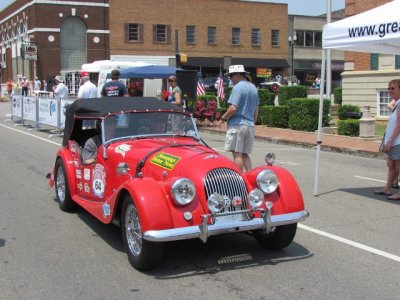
(392, 142)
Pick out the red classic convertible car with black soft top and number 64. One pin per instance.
(158, 180)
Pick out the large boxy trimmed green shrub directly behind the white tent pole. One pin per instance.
(304, 113)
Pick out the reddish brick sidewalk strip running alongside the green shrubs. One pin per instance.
(368, 147)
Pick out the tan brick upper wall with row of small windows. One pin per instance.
(224, 14)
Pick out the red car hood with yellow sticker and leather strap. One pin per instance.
(169, 157)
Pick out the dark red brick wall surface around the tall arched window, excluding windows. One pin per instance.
(44, 21)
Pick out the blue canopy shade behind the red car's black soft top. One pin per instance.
(149, 72)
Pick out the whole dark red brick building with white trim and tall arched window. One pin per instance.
(60, 35)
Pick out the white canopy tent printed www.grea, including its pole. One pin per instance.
(374, 31)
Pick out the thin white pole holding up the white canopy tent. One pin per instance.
(320, 116)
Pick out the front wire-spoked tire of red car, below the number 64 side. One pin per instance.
(142, 255)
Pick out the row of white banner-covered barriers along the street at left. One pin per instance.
(39, 111)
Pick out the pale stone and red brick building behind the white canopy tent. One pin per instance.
(366, 75)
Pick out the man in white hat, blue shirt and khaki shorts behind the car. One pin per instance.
(241, 115)
